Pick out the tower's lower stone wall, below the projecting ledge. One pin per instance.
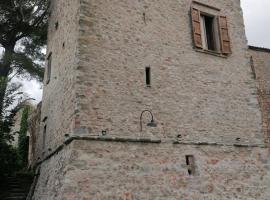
(140, 171)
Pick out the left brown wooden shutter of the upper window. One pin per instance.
(197, 34)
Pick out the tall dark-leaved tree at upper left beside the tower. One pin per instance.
(23, 34)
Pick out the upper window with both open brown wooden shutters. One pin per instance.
(210, 31)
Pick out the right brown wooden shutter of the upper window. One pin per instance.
(224, 35)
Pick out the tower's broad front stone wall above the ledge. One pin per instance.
(200, 96)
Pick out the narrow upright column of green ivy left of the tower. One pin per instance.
(23, 139)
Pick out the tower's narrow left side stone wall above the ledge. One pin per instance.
(58, 107)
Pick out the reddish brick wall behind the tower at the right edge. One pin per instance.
(260, 58)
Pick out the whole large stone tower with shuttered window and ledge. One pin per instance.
(150, 99)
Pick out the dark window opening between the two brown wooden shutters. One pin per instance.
(208, 32)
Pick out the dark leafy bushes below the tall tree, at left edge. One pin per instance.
(11, 159)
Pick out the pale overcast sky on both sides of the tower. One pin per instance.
(257, 22)
